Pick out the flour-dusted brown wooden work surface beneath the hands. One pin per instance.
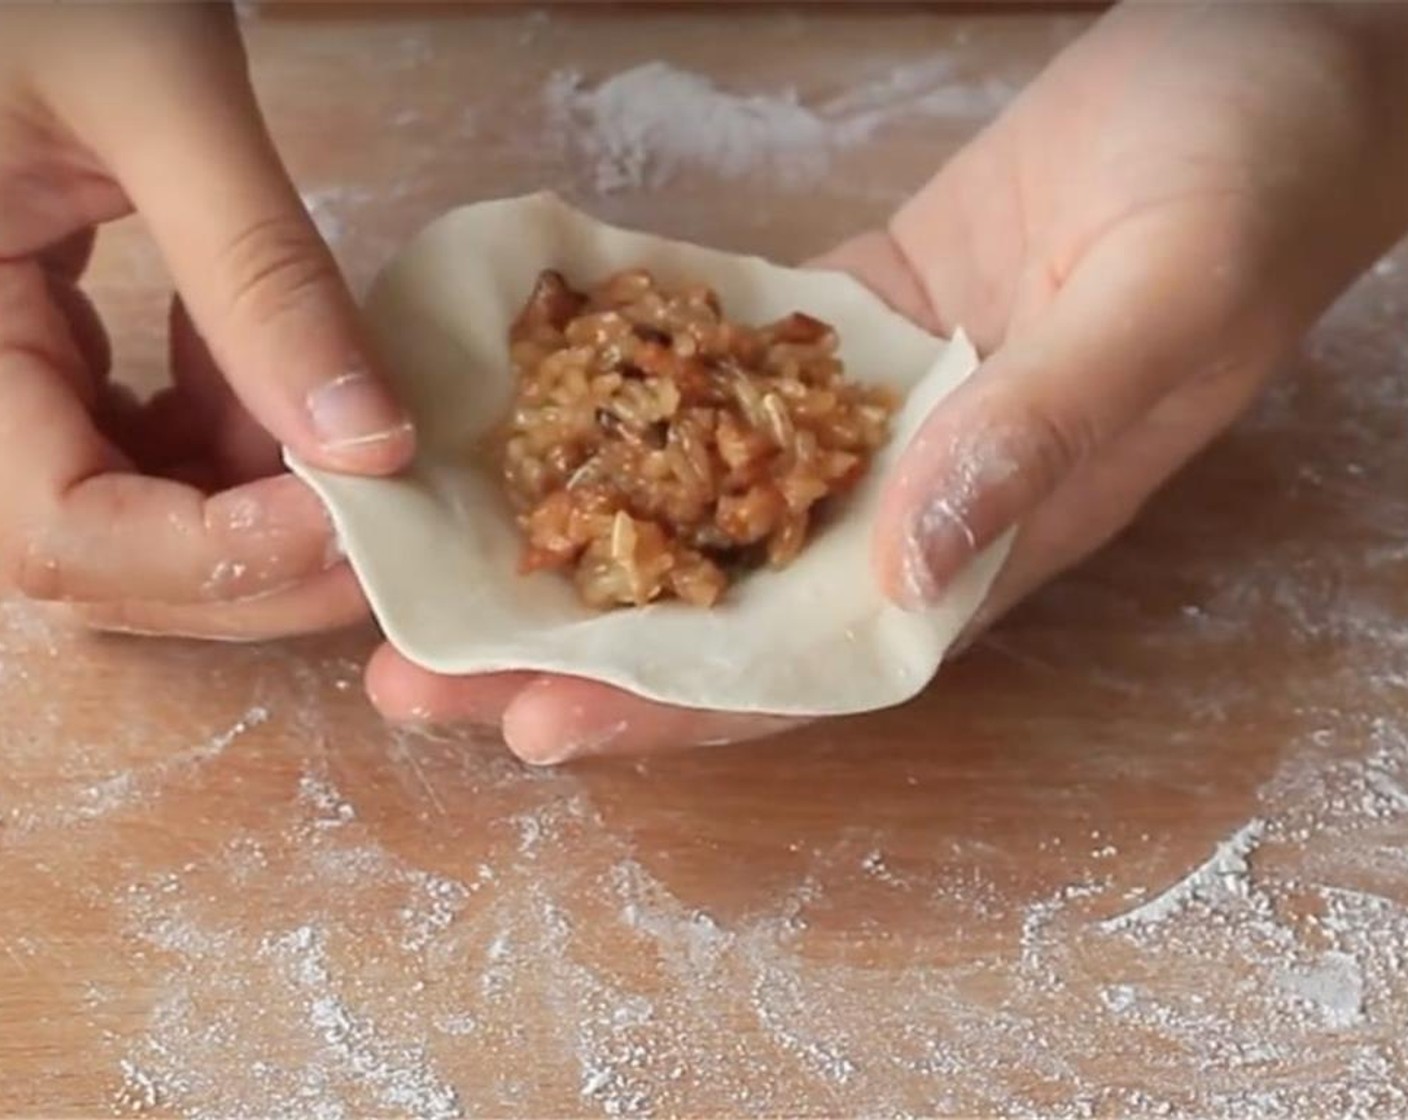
(1145, 852)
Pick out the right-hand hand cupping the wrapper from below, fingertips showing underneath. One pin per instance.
(1134, 244)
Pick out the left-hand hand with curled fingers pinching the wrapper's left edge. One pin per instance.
(175, 515)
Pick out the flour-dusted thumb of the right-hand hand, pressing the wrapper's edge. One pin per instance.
(1123, 332)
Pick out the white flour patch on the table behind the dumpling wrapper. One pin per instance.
(646, 127)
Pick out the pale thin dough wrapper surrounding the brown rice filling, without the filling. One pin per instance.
(437, 549)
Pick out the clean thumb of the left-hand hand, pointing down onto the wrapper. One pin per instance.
(261, 285)
